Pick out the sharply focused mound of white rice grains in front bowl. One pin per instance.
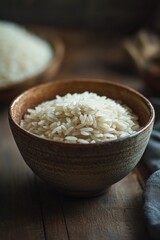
(81, 118)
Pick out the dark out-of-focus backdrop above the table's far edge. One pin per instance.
(109, 15)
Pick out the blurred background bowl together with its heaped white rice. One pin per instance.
(27, 57)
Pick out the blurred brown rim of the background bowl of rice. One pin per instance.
(58, 50)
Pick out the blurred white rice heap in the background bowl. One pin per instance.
(22, 54)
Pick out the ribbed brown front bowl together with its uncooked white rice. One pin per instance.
(81, 136)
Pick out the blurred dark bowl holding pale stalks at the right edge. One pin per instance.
(144, 51)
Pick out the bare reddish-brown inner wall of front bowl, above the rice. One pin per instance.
(36, 95)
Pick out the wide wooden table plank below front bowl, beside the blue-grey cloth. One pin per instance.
(116, 215)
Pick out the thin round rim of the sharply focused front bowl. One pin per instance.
(133, 135)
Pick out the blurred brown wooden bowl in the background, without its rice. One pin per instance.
(10, 90)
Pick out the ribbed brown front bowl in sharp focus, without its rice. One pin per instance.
(81, 169)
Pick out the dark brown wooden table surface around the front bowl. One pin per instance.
(29, 209)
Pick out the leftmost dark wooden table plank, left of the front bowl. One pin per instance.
(20, 214)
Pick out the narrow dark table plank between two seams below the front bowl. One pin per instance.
(52, 213)
